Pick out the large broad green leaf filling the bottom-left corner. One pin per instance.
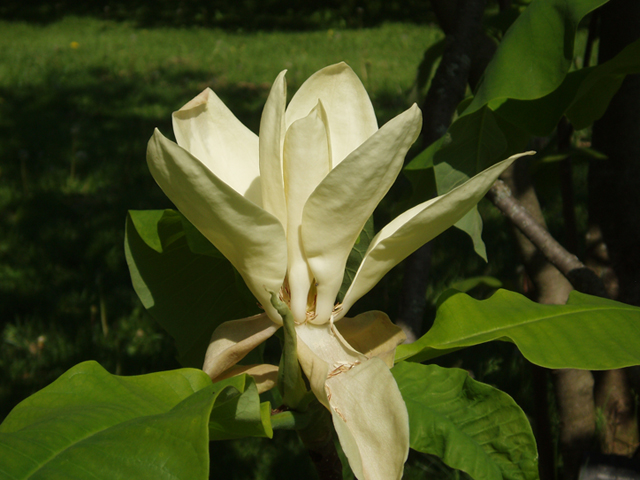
(91, 424)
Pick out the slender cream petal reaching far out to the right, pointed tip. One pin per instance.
(415, 227)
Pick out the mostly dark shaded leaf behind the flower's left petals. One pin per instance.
(188, 293)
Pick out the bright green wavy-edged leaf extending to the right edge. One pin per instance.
(588, 332)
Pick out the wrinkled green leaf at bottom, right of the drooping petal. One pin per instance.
(471, 426)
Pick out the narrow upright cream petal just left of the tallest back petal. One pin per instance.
(271, 140)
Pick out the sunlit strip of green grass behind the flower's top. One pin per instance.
(33, 56)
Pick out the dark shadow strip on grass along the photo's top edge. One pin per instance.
(243, 15)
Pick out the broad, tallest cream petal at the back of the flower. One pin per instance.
(349, 110)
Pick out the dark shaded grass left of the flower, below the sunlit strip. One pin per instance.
(72, 163)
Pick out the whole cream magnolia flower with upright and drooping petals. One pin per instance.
(286, 209)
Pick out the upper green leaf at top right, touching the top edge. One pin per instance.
(535, 53)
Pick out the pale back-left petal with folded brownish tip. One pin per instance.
(207, 129)
